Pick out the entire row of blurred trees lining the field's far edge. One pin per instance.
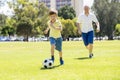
(30, 19)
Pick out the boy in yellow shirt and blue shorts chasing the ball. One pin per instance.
(55, 34)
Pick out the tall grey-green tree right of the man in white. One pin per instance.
(108, 13)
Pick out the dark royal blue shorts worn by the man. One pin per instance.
(88, 38)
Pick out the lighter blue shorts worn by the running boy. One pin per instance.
(57, 42)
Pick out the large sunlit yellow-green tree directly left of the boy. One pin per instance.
(36, 13)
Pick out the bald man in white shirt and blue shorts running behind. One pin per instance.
(85, 28)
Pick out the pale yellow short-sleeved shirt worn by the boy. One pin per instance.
(53, 32)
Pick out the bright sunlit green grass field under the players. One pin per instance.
(23, 61)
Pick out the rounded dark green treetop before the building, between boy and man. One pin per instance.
(66, 12)
